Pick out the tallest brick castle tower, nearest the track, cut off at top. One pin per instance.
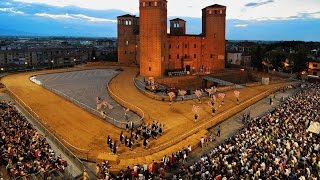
(153, 32)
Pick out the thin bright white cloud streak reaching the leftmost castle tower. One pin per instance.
(75, 16)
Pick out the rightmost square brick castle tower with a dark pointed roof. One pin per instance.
(213, 28)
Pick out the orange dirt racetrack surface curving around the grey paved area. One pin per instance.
(85, 131)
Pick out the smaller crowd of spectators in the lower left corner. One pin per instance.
(23, 151)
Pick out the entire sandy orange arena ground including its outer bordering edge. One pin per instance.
(85, 134)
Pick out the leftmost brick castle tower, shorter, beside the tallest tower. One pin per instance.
(128, 31)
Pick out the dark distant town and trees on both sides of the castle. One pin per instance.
(20, 53)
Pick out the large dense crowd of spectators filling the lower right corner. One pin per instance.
(275, 146)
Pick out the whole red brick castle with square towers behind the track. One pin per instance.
(145, 41)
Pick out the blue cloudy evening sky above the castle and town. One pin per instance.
(291, 19)
